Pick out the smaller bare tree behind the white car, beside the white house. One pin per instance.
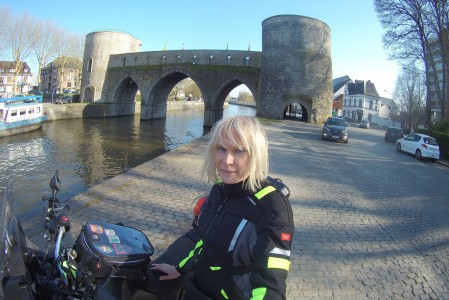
(410, 93)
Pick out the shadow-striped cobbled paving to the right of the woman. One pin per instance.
(372, 223)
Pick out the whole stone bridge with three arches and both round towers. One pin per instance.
(294, 67)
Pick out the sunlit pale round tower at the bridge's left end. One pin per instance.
(98, 48)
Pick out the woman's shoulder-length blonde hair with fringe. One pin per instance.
(246, 133)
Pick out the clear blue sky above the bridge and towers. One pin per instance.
(356, 33)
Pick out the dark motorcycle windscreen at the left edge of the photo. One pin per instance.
(12, 241)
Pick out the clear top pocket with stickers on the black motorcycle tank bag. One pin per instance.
(117, 241)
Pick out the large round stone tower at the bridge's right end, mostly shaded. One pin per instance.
(296, 67)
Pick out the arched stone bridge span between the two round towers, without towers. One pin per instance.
(155, 74)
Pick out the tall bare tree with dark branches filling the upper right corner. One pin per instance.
(412, 29)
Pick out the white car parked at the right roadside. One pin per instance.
(420, 145)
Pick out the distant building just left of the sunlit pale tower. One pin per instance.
(61, 75)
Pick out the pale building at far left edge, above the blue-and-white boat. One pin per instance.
(14, 81)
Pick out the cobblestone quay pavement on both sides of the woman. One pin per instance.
(371, 223)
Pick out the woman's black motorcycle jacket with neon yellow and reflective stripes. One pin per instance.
(244, 250)
